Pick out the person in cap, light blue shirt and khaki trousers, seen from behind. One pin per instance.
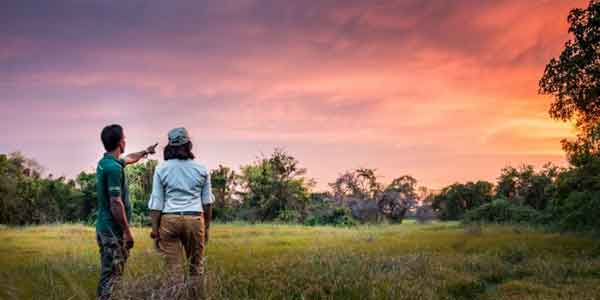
(180, 209)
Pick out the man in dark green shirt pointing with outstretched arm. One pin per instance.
(114, 210)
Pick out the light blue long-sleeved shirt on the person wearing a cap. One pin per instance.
(180, 185)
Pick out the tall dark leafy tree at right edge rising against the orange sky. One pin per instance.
(573, 80)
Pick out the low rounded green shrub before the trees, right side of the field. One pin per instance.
(503, 211)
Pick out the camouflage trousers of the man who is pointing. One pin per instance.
(113, 256)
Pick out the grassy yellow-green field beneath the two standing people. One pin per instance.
(409, 261)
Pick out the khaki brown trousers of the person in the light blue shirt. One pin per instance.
(181, 234)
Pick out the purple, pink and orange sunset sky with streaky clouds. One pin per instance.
(445, 91)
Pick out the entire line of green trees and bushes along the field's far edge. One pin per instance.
(274, 189)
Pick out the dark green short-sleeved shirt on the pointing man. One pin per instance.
(110, 182)
